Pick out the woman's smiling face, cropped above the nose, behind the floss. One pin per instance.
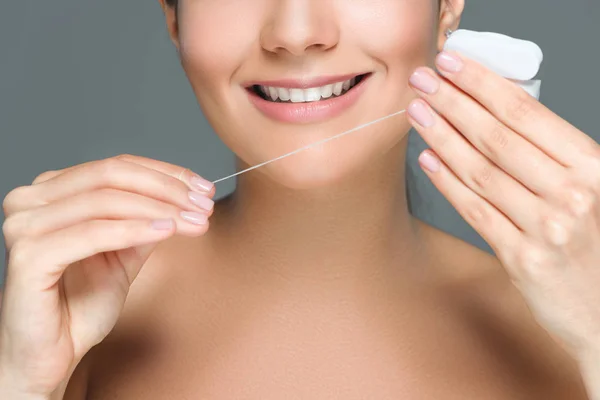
(268, 75)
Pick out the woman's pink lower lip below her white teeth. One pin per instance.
(306, 113)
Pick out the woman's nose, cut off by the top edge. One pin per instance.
(300, 26)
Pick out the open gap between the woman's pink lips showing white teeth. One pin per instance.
(309, 95)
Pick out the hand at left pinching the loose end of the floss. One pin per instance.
(76, 239)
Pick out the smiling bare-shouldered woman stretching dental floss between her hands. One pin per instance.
(314, 281)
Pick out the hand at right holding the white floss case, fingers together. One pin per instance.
(526, 180)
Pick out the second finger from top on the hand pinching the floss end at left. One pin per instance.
(108, 173)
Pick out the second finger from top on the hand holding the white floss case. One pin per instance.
(507, 149)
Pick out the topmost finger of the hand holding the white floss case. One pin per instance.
(516, 109)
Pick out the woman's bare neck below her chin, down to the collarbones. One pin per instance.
(358, 227)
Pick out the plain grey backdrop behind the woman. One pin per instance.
(88, 79)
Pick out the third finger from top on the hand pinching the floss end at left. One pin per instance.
(100, 204)
